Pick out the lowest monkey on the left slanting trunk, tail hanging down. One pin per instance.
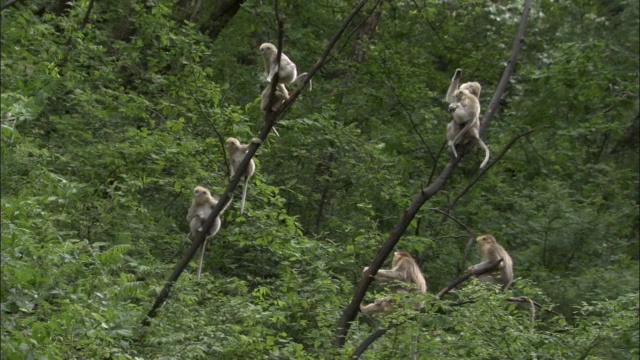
(200, 209)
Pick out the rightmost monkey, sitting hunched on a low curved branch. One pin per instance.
(491, 251)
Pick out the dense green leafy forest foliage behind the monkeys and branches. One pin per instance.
(112, 111)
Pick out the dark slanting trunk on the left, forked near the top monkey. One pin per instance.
(270, 118)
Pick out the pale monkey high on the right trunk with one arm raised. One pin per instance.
(464, 106)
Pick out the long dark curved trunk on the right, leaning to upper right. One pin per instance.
(351, 311)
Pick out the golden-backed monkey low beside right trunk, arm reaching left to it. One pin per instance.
(403, 270)
